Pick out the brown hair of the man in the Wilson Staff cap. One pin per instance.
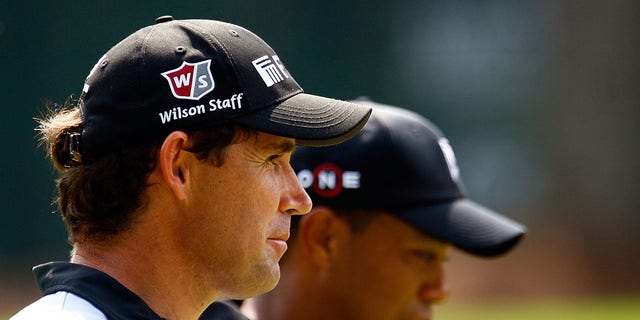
(101, 198)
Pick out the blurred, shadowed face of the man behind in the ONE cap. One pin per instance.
(390, 271)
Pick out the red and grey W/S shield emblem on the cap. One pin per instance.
(191, 80)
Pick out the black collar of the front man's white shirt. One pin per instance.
(104, 292)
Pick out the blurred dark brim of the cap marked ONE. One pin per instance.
(466, 225)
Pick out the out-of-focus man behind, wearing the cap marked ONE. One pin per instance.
(388, 204)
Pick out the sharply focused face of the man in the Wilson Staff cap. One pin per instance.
(240, 215)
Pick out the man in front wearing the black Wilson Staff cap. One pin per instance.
(175, 186)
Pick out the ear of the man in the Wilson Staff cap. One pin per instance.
(172, 164)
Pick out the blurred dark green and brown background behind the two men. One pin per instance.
(538, 98)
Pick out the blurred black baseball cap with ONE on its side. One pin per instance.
(402, 164)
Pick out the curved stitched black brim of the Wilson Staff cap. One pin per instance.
(311, 120)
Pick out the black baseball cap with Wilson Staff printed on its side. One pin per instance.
(193, 74)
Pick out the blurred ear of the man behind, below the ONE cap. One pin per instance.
(320, 233)
